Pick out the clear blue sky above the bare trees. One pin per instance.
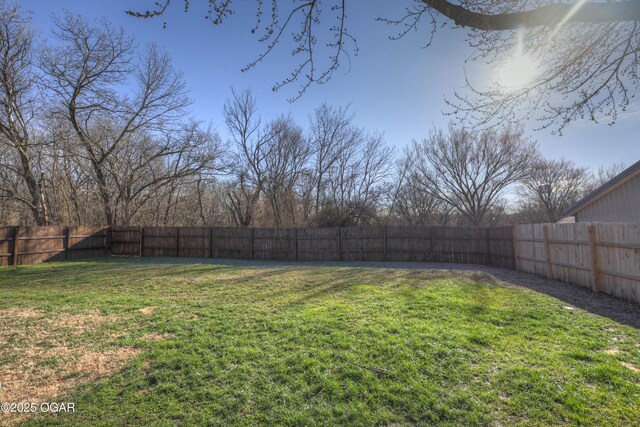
(395, 87)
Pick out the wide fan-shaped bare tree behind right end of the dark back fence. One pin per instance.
(470, 170)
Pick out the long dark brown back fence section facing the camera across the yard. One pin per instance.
(491, 246)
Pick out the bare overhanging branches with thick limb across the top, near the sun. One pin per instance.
(584, 54)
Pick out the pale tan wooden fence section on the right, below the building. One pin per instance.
(602, 256)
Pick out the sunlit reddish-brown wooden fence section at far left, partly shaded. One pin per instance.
(32, 245)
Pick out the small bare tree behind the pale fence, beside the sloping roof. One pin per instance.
(551, 188)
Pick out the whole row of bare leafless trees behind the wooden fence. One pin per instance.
(95, 129)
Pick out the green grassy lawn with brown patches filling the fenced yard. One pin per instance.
(144, 342)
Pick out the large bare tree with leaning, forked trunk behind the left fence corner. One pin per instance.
(85, 73)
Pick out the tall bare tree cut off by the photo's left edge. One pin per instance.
(19, 105)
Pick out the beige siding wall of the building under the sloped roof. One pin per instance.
(620, 205)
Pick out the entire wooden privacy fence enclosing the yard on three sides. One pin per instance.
(602, 256)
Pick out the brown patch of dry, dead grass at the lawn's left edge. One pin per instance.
(47, 354)
